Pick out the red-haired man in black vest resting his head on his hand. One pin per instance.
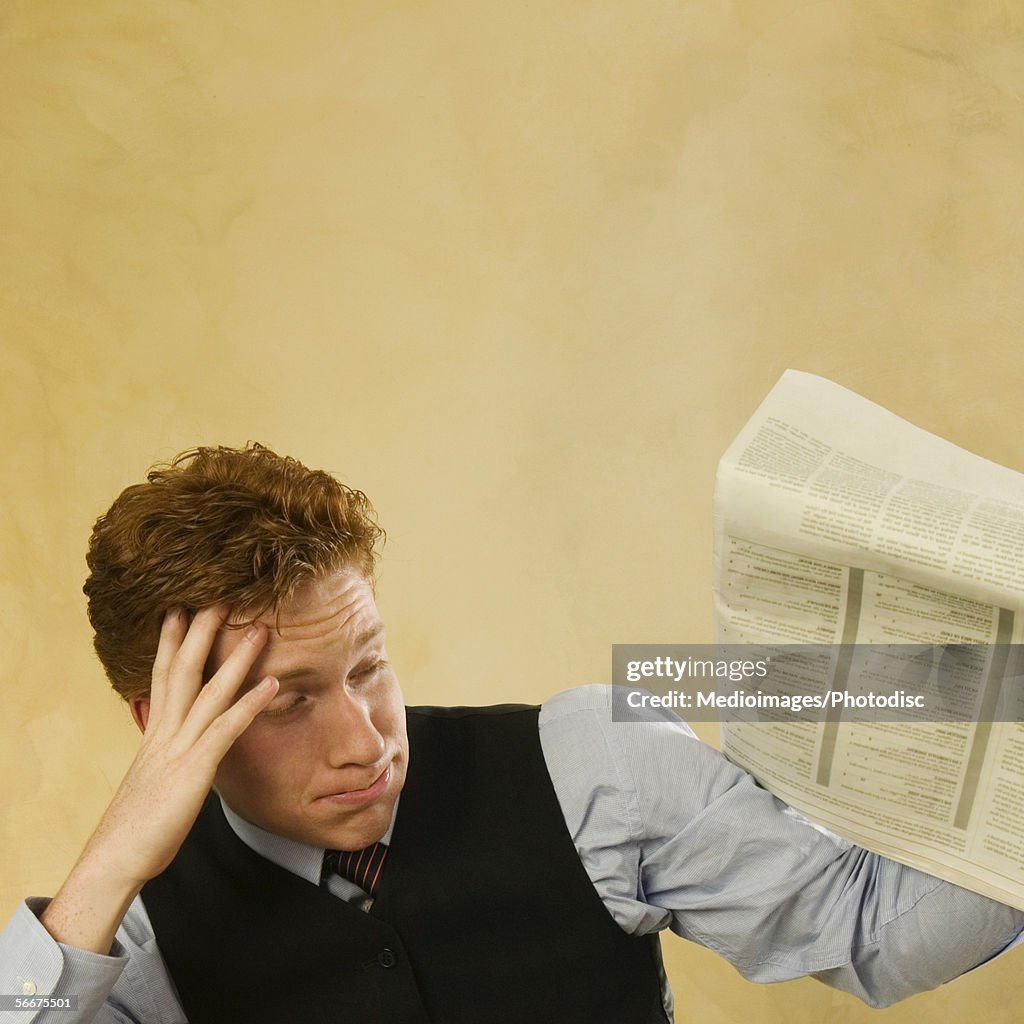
(503, 865)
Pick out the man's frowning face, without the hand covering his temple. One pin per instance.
(336, 726)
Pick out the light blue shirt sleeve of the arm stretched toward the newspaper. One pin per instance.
(674, 836)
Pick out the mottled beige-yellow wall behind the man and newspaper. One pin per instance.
(521, 272)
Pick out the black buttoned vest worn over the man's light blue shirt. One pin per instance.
(485, 913)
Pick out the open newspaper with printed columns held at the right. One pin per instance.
(838, 523)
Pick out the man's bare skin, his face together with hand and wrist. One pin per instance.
(320, 757)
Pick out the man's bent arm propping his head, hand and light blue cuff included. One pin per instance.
(189, 728)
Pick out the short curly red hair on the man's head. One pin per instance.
(244, 527)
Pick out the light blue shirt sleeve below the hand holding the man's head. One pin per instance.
(130, 987)
